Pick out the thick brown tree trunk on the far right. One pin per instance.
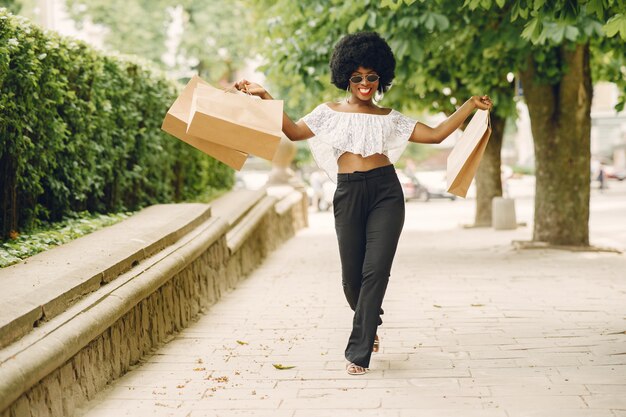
(560, 117)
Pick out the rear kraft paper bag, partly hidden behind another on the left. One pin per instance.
(175, 123)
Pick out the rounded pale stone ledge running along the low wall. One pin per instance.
(27, 362)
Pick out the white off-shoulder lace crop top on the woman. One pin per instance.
(359, 133)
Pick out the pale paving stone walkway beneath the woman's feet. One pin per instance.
(471, 327)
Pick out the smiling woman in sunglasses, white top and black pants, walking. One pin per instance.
(356, 142)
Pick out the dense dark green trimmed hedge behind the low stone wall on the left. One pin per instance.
(80, 130)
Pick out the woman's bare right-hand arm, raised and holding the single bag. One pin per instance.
(427, 134)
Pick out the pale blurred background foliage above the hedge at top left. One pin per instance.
(214, 41)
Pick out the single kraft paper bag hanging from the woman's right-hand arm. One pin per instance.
(464, 159)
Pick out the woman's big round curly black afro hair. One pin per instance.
(363, 49)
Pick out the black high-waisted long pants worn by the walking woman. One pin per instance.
(369, 215)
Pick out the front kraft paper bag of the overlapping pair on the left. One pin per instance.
(236, 120)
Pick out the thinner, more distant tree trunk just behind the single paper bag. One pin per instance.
(488, 179)
